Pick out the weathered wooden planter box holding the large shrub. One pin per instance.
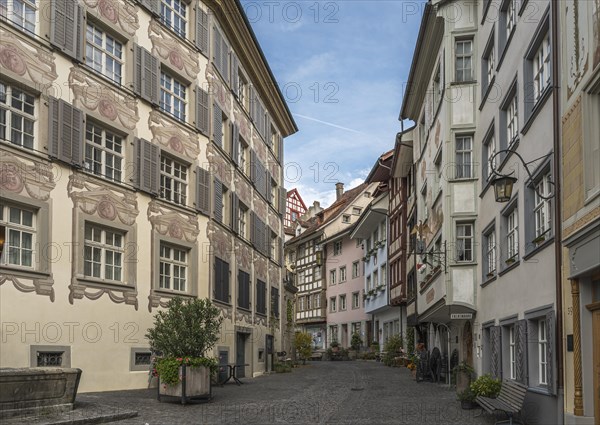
(194, 384)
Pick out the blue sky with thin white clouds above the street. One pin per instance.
(341, 66)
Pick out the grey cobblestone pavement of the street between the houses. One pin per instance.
(355, 392)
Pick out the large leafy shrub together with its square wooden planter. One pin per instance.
(183, 334)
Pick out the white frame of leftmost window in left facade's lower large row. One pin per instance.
(20, 229)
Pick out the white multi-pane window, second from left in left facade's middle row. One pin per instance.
(103, 152)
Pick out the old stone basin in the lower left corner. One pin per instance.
(37, 390)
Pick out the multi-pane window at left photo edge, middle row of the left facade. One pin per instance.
(17, 116)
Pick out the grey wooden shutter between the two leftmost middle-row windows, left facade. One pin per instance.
(66, 132)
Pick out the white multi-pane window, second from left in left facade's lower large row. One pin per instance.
(103, 253)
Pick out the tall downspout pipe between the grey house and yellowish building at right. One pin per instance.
(556, 112)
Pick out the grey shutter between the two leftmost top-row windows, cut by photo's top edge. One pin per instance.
(64, 24)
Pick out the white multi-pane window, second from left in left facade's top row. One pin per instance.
(103, 53)
